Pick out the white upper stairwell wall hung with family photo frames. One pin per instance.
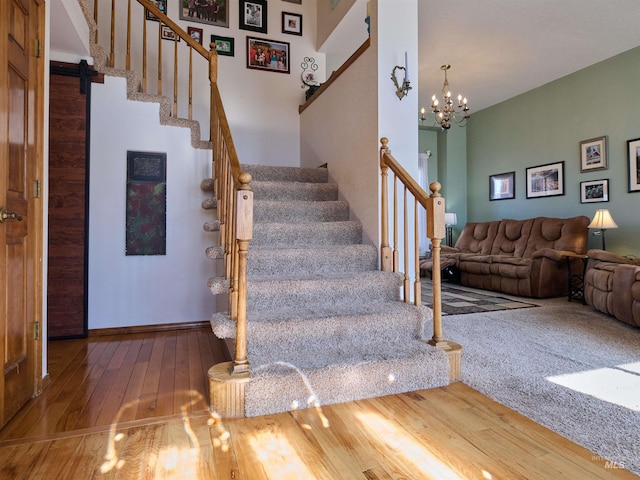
(261, 106)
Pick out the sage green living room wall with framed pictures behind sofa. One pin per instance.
(546, 125)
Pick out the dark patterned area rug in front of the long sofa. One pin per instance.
(457, 300)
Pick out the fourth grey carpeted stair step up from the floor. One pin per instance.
(303, 263)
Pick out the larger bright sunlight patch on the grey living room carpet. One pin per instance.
(619, 385)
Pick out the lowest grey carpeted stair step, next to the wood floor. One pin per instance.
(374, 370)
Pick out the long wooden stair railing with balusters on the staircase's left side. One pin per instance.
(232, 188)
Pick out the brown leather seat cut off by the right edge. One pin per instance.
(612, 285)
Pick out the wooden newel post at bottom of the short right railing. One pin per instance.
(436, 231)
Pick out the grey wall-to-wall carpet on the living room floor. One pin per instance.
(564, 365)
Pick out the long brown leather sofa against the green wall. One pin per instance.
(527, 258)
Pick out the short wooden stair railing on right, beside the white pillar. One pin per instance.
(434, 204)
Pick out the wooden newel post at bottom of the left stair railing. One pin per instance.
(244, 234)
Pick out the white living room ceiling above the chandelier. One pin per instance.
(501, 48)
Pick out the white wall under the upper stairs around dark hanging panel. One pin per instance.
(144, 290)
